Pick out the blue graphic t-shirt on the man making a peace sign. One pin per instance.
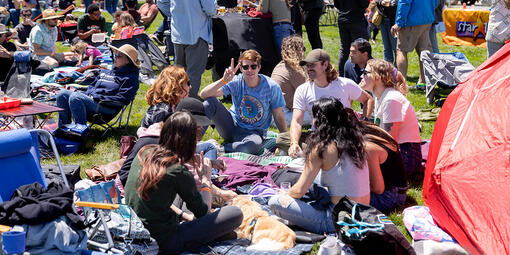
(253, 106)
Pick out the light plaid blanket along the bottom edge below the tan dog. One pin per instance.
(238, 246)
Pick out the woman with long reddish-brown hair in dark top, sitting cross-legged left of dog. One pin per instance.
(159, 173)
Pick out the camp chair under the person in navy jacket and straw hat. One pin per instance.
(104, 120)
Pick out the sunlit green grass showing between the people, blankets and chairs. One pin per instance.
(106, 149)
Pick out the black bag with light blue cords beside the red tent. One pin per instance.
(367, 230)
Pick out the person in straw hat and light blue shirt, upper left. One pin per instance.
(43, 37)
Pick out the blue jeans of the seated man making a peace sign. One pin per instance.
(237, 139)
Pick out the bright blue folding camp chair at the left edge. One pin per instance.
(20, 160)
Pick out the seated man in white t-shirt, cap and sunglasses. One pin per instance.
(324, 82)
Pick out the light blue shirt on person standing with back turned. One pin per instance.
(191, 20)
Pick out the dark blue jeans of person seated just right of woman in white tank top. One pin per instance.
(389, 199)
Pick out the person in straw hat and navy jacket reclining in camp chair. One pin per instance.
(118, 85)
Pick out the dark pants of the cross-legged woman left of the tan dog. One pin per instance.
(194, 234)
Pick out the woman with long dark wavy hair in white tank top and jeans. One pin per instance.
(334, 150)
